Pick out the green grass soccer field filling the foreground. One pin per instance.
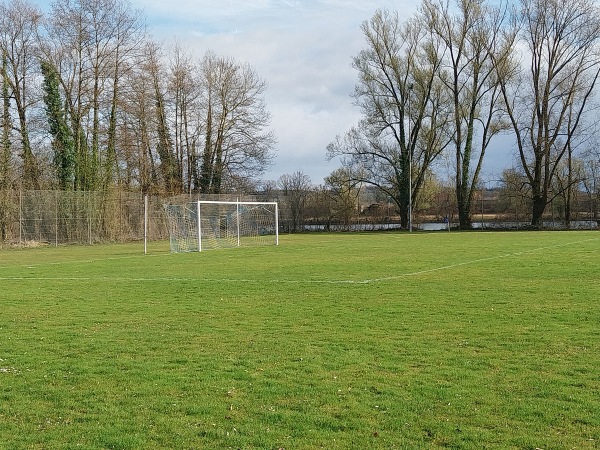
(335, 341)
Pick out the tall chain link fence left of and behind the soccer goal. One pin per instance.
(33, 218)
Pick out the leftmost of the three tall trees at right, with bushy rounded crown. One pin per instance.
(405, 122)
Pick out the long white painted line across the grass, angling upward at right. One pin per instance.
(244, 280)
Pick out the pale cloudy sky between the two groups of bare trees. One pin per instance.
(303, 49)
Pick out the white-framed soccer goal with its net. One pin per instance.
(205, 225)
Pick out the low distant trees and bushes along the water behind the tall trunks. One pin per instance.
(339, 204)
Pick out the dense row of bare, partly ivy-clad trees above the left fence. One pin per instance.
(89, 102)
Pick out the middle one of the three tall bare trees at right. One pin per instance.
(472, 36)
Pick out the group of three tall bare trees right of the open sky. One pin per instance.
(440, 86)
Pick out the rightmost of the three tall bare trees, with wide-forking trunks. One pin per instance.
(547, 103)
